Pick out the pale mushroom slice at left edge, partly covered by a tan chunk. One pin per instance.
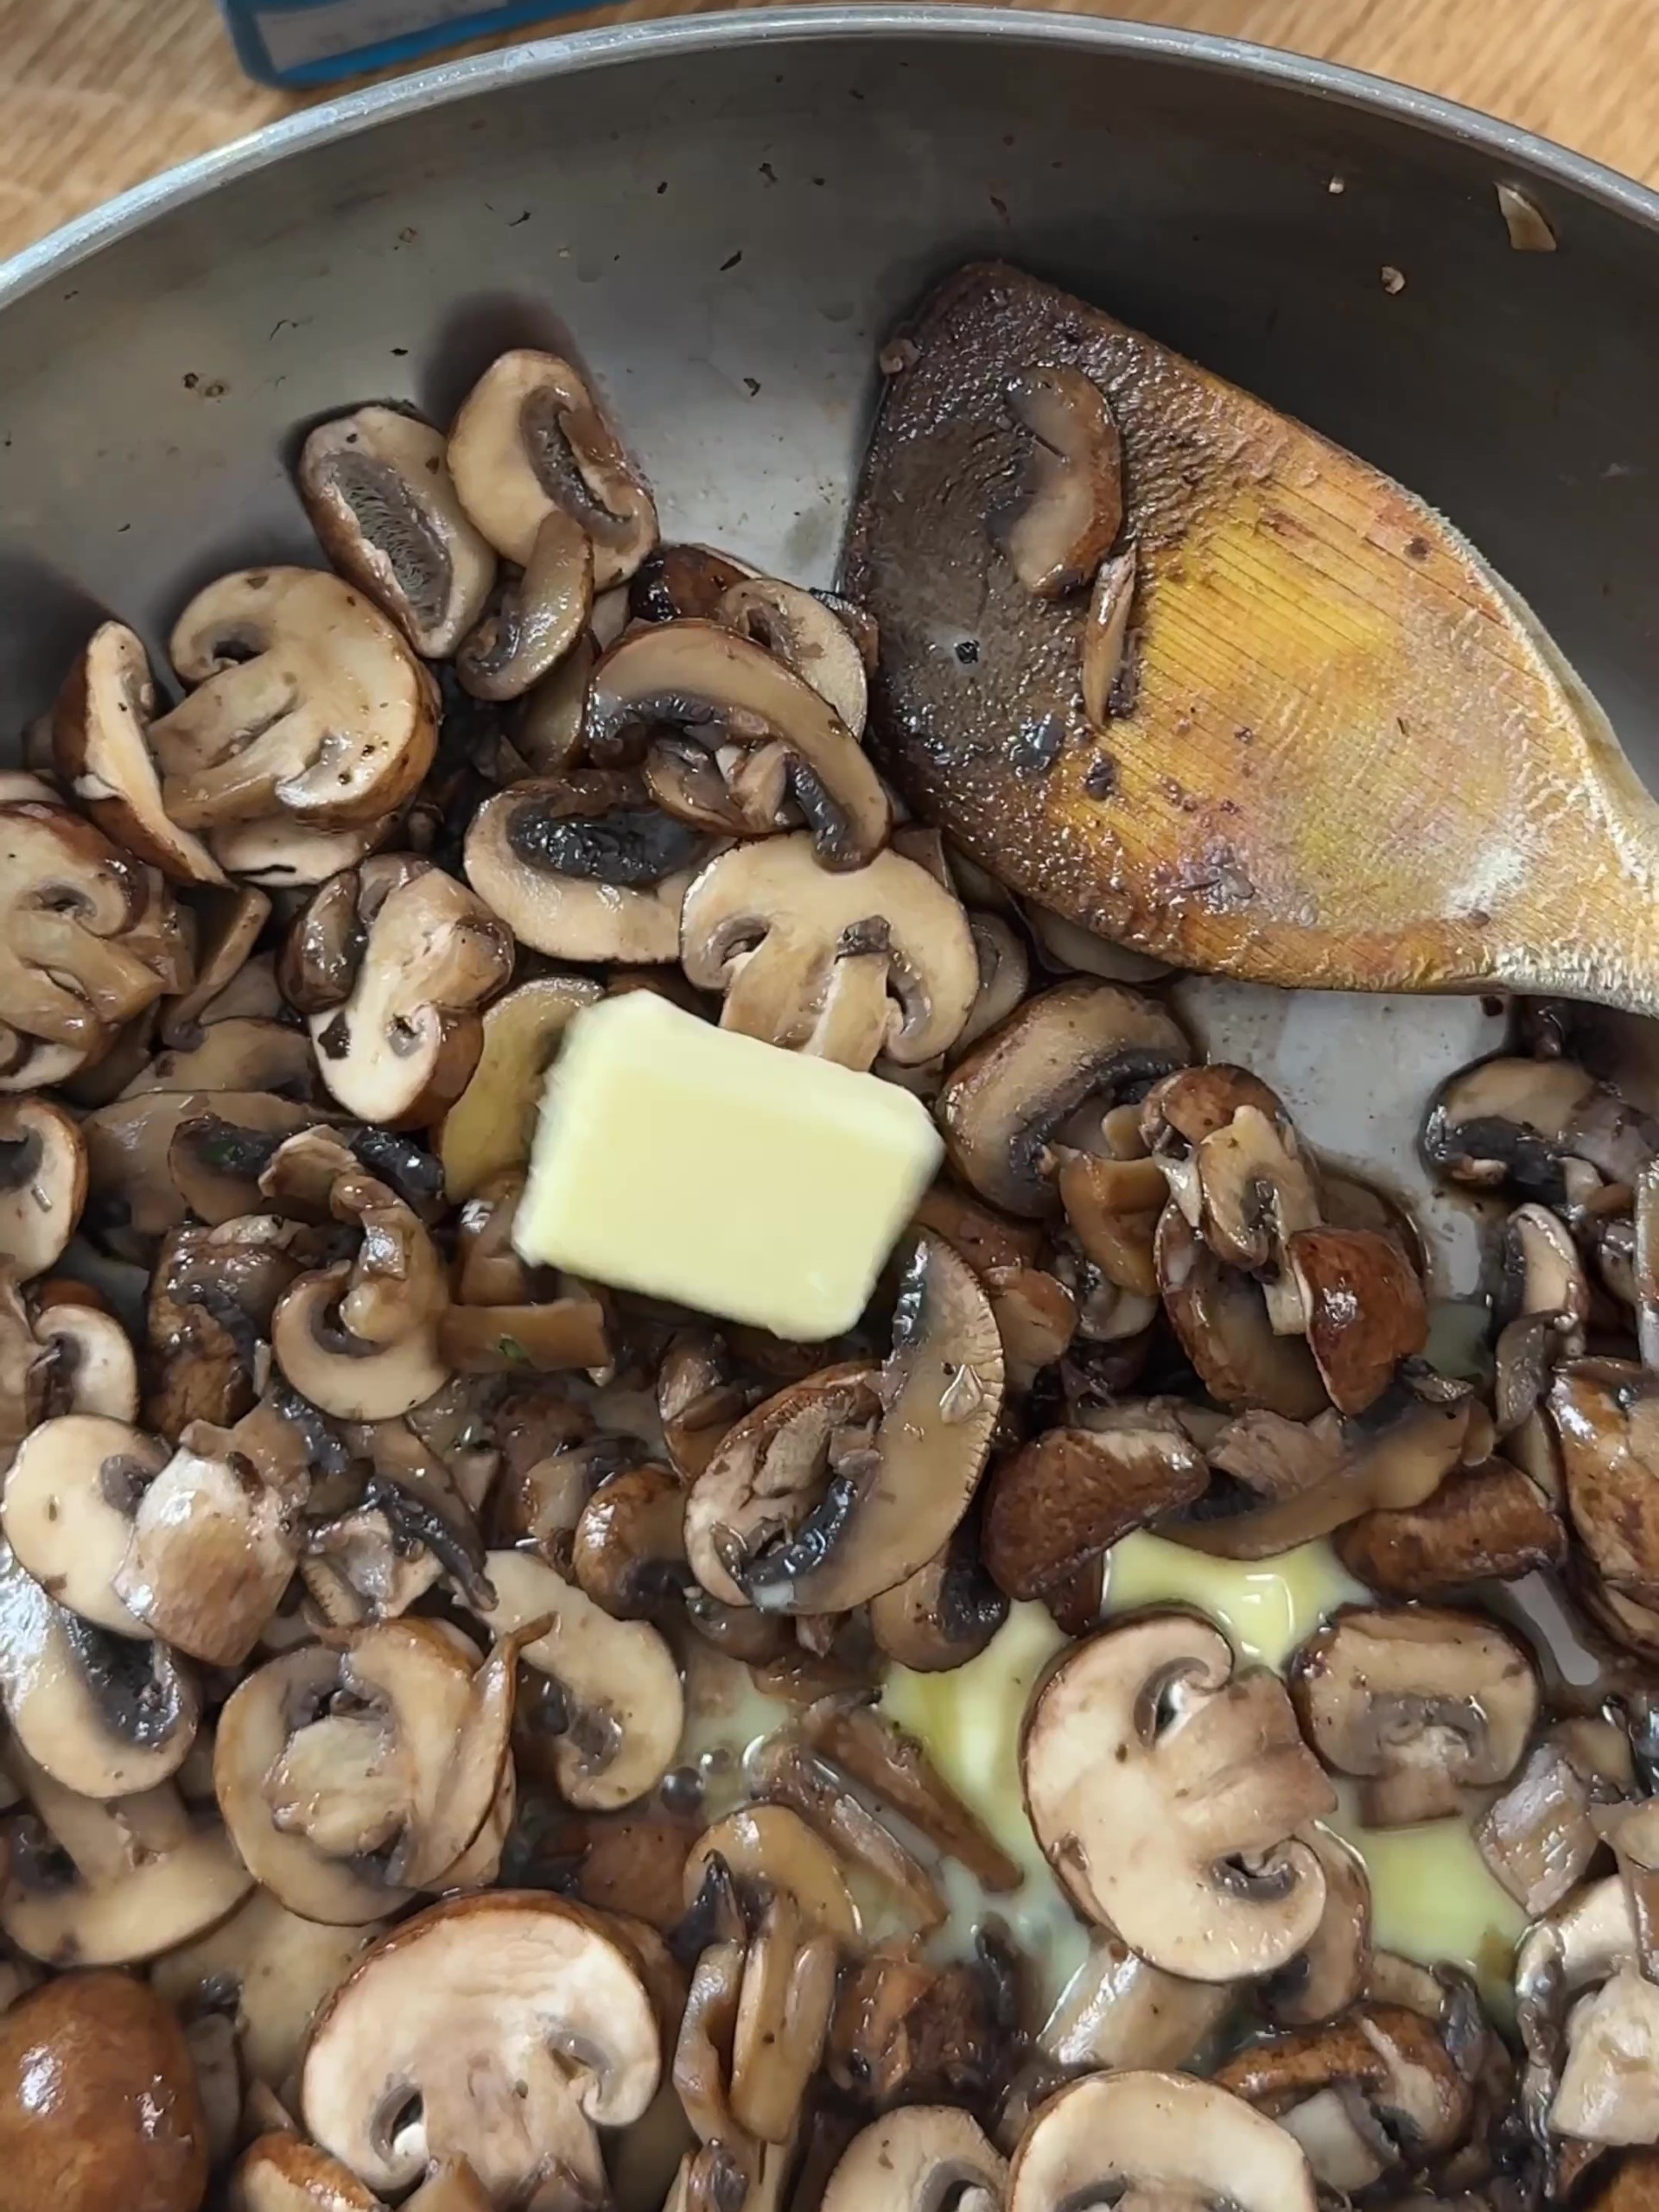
(67, 1512)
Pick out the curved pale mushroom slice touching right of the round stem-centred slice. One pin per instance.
(616, 1707)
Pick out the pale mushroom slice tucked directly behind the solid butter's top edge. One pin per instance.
(808, 959)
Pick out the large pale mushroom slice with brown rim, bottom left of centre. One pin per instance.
(517, 2018)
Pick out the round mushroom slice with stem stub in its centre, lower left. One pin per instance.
(355, 1775)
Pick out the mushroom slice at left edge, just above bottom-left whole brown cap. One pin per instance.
(114, 1884)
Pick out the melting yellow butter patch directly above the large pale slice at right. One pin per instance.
(1264, 1607)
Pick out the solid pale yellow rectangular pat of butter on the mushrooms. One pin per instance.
(693, 1165)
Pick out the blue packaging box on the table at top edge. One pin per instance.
(317, 41)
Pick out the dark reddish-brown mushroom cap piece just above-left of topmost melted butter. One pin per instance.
(1067, 1496)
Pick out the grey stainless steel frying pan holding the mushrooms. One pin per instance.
(722, 216)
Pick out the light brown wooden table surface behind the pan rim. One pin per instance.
(98, 94)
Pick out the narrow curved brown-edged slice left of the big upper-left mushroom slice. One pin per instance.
(101, 749)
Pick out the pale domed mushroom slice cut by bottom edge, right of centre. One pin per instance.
(1167, 2140)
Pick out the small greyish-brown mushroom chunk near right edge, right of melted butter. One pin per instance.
(1541, 1835)
